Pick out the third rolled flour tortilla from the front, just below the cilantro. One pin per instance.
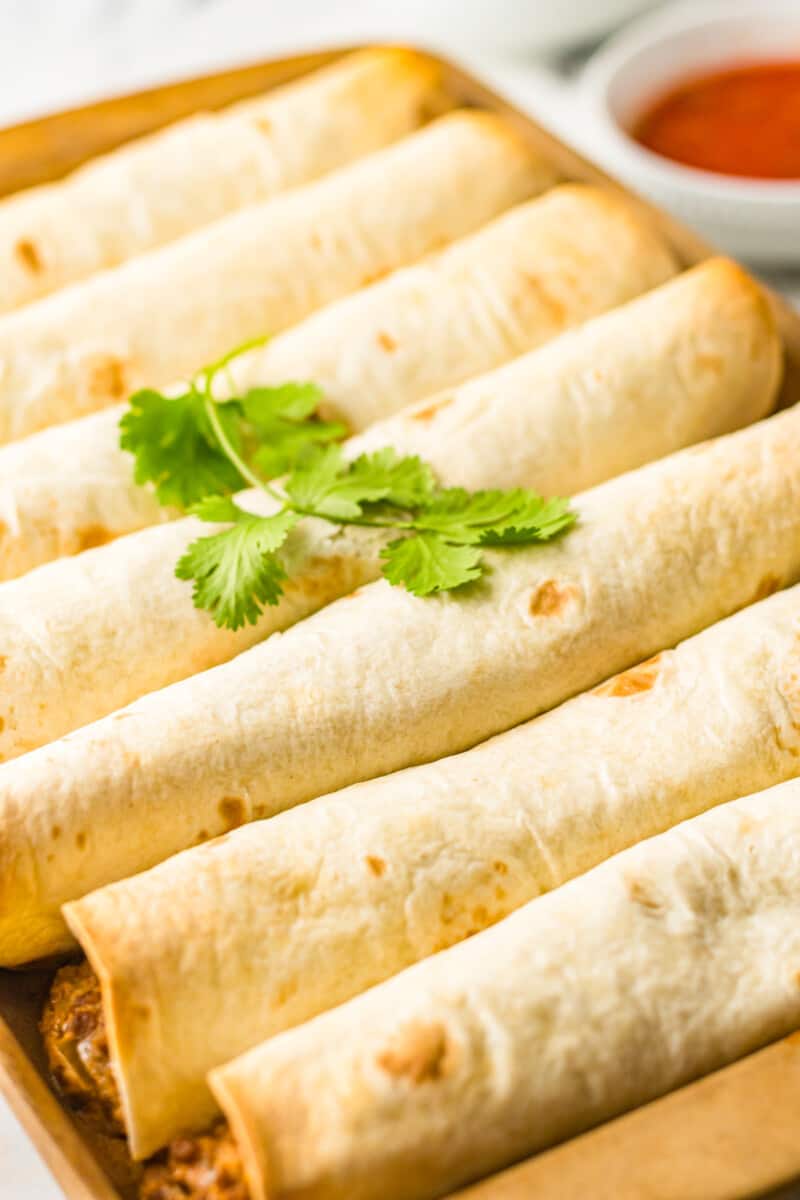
(384, 680)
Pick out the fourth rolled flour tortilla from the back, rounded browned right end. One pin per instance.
(85, 637)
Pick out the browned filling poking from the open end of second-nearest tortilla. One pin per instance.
(74, 1030)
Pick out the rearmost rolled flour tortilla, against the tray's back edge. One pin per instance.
(197, 171)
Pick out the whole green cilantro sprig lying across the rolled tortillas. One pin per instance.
(197, 451)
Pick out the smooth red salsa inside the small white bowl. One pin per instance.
(741, 122)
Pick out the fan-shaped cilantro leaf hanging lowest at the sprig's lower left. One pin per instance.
(236, 573)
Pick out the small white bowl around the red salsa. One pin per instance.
(756, 220)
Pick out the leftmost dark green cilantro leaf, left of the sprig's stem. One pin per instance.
(175, 448)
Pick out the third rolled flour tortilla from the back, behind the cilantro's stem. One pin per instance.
(518, 283)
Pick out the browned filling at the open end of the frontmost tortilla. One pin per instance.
(203, 1168)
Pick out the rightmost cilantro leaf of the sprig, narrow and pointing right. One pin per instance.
(495, 518)
